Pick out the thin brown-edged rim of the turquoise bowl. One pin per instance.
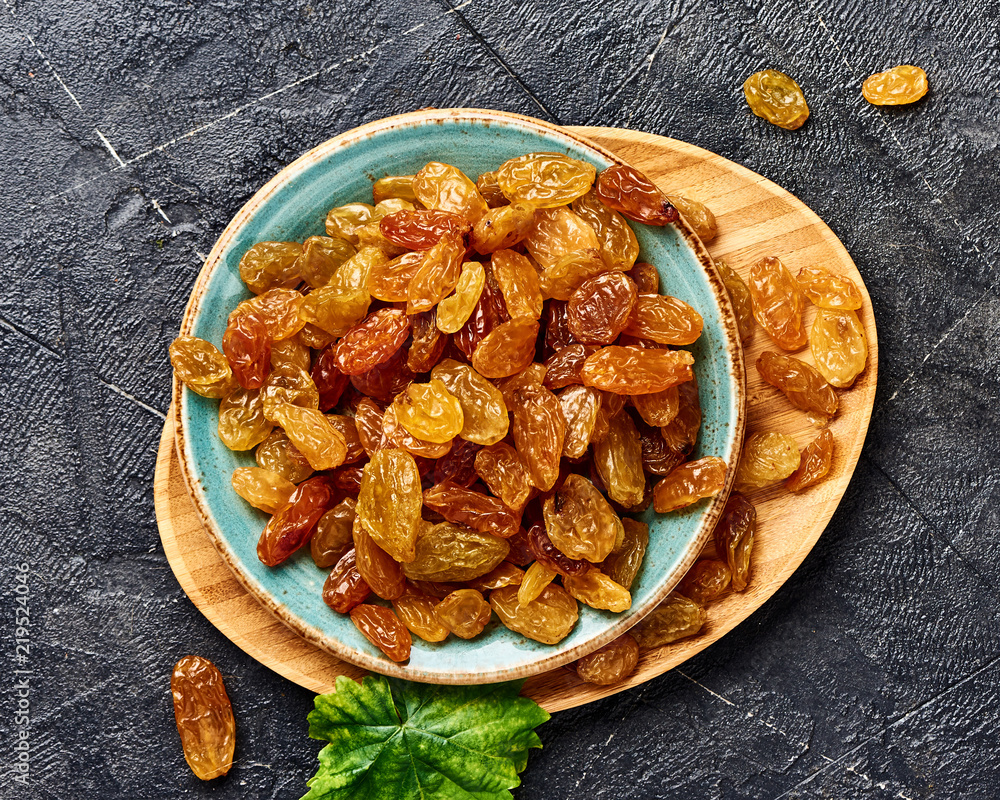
(537, 658)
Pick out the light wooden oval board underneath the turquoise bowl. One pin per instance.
(756, 218)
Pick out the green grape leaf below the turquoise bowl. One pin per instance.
(396, 740)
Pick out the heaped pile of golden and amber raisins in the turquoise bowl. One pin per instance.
(460, 393)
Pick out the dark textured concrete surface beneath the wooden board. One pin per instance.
(129, 135)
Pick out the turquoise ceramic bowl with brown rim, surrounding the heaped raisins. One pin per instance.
(293, 206)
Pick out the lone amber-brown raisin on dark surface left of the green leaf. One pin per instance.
(204, 717)
